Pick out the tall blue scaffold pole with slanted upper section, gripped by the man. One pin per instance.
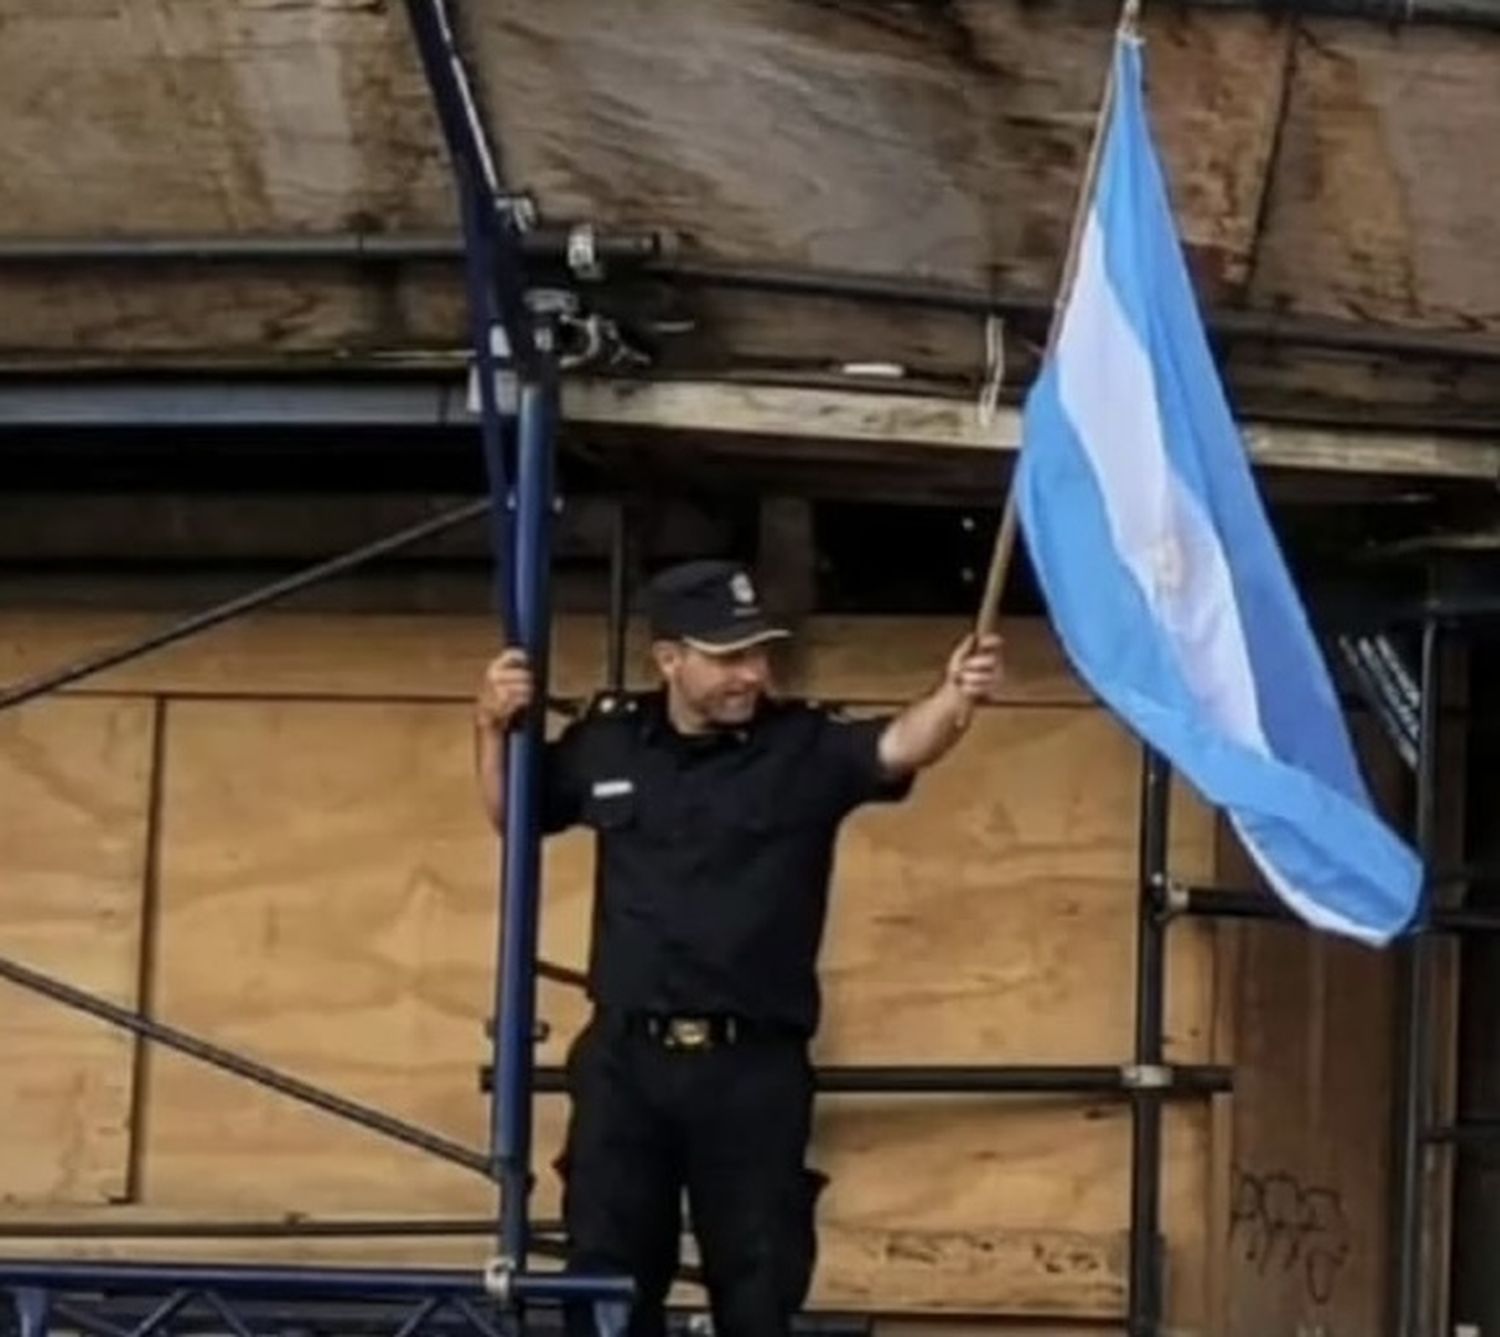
(523, 548)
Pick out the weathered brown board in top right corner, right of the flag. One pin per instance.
(1376, 211)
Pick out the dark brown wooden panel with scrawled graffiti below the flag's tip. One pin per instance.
(1306, 1234)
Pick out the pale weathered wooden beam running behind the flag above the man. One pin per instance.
(884, 421)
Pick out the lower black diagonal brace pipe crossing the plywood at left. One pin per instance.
(227, 1060)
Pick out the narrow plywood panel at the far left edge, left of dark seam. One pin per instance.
(73, 850)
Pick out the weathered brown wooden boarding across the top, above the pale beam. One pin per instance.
(899, 140)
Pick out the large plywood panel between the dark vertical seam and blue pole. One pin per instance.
(328, 906)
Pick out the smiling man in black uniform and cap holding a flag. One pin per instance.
(716, 810)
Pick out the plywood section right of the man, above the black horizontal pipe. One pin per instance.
(992, 918)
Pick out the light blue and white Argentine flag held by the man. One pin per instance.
(1160, 569)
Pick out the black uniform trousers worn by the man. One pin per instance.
(728, 1126)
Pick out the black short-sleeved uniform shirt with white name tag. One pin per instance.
(715, 852)
